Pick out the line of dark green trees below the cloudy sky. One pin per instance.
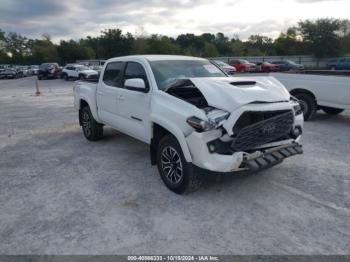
(326, 37)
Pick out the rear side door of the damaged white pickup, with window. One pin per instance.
(107, 93)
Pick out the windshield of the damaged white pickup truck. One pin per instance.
(167, 72)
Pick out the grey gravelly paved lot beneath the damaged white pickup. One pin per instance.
(60, 194)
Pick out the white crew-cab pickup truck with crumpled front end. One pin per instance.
(194, 117)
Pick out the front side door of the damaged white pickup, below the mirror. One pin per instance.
(134, 106)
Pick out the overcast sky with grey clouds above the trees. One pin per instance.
(65, 19)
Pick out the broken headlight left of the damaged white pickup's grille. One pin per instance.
(201, 125)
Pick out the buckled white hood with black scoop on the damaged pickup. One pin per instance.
(229, 93)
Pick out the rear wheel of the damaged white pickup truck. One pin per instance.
(92, 130)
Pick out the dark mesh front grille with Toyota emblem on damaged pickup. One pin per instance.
(263, 132)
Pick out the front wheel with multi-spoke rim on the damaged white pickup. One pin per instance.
(178, 175)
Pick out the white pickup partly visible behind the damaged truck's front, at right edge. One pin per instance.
(314, 92)
